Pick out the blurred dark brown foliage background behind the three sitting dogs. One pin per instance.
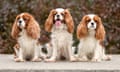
(108, 10)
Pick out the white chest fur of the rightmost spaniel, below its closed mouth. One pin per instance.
(88, 44)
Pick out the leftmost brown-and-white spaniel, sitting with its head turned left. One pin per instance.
(26, 31)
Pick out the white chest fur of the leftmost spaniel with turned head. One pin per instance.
(26, 42)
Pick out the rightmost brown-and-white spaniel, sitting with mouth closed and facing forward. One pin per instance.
(91, 34)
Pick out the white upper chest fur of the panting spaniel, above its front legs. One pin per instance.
(61, 35)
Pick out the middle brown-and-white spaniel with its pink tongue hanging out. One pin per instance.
(61, 26)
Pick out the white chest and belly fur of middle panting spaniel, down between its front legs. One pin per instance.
(62, 39)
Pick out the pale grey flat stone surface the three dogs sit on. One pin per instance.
(7, 64)
